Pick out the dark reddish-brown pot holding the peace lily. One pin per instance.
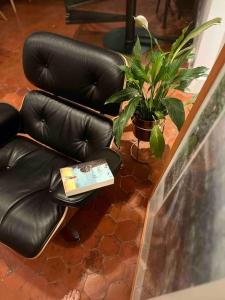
(142, 128)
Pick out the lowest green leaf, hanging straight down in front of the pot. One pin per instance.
(157, 142)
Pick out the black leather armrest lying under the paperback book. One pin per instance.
(114, 161)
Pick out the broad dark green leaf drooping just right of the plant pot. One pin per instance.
(175, 110)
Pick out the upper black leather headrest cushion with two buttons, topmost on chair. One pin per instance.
(74, 70)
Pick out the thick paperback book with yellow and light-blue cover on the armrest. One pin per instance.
(86, 176)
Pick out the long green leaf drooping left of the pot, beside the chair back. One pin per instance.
(120, 122)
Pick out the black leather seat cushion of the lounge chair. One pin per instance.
(28, 215)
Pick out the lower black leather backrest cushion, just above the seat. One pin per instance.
(73, 132)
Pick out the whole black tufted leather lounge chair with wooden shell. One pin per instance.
(70, 76)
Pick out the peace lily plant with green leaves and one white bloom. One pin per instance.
(148, 84)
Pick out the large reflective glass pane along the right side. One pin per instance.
(184, 238)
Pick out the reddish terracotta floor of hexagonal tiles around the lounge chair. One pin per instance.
(102, 265)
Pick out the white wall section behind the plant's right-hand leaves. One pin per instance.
(209, 43)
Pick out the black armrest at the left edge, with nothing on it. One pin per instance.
(9, 122)
